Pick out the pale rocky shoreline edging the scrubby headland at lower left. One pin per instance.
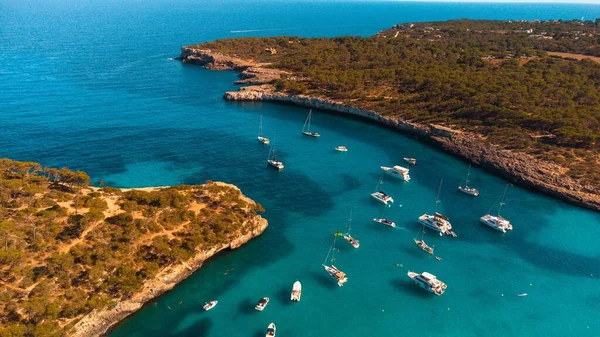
(99, 322)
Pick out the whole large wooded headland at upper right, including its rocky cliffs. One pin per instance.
(518, 98)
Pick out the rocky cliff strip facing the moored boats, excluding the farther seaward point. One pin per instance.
(519, 168)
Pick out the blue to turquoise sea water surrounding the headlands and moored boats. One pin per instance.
(92, 86)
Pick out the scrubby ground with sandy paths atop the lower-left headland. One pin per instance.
(66, 248)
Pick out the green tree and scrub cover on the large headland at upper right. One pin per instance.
(492, 78)
